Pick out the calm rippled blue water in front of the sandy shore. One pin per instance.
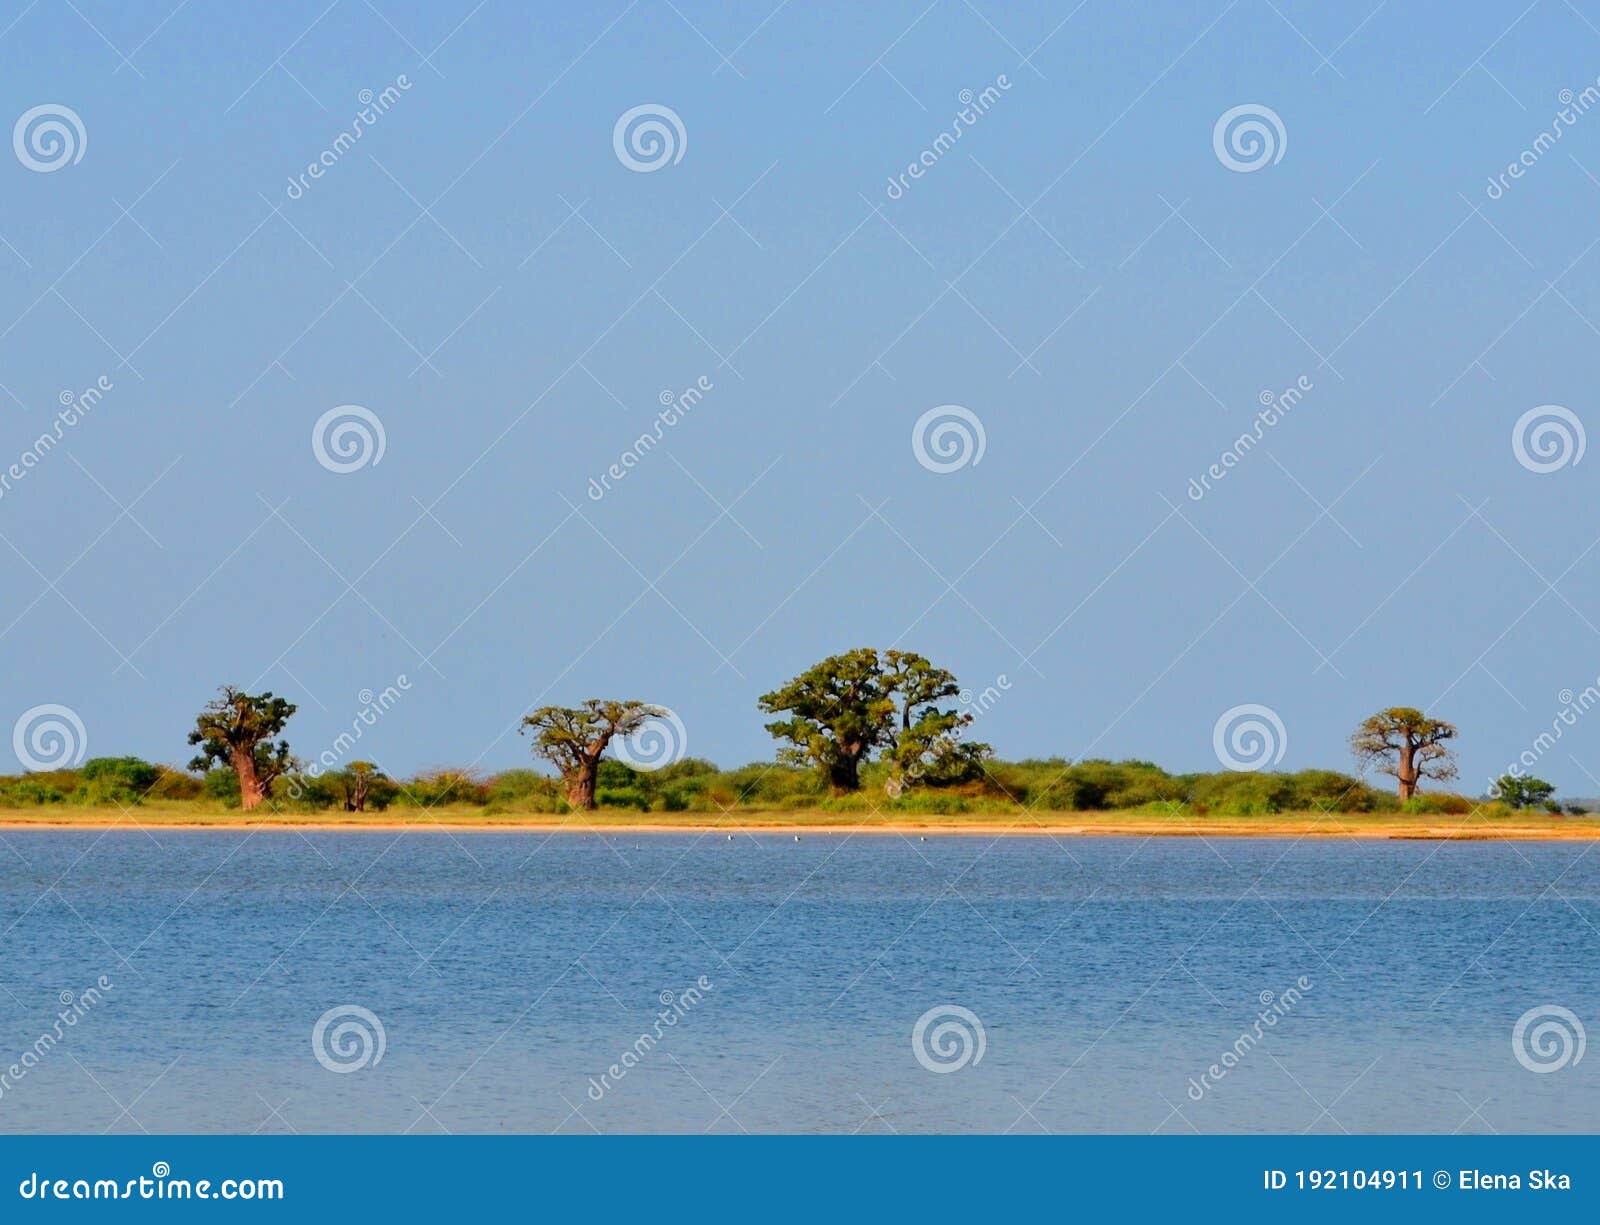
(510, 970)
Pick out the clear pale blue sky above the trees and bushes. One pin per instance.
(1081, 271)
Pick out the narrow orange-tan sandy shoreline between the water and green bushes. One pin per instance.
(999, 826)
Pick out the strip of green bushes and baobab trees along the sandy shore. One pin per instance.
(865, 732)
